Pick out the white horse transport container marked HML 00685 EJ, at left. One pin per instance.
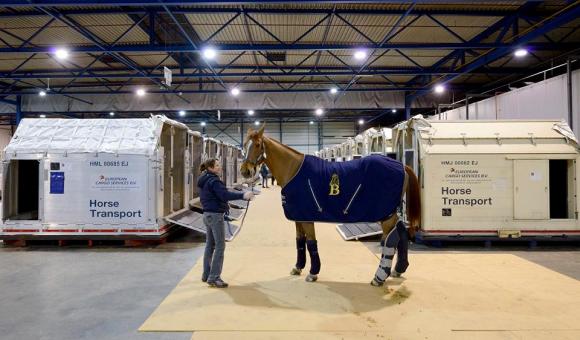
(94, 178)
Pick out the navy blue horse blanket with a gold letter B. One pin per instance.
(362, 190)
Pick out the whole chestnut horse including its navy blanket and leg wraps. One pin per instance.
(289, 166)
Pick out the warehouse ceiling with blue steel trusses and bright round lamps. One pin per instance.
(73, 48)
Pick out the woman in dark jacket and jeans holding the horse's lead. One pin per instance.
(214, 198)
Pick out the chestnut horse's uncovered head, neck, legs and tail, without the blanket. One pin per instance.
(285, 162)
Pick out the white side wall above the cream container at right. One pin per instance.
(543, 100)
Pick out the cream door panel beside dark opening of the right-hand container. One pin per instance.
(531, 190)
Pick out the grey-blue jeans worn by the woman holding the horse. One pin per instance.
(215, 244)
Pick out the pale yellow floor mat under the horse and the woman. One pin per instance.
(458, 296)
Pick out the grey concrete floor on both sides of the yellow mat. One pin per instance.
(107, 292)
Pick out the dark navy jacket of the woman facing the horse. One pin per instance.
(214, 195)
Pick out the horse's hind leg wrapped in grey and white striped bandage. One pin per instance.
(389, 242)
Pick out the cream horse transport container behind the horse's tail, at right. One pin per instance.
(490, 179)
